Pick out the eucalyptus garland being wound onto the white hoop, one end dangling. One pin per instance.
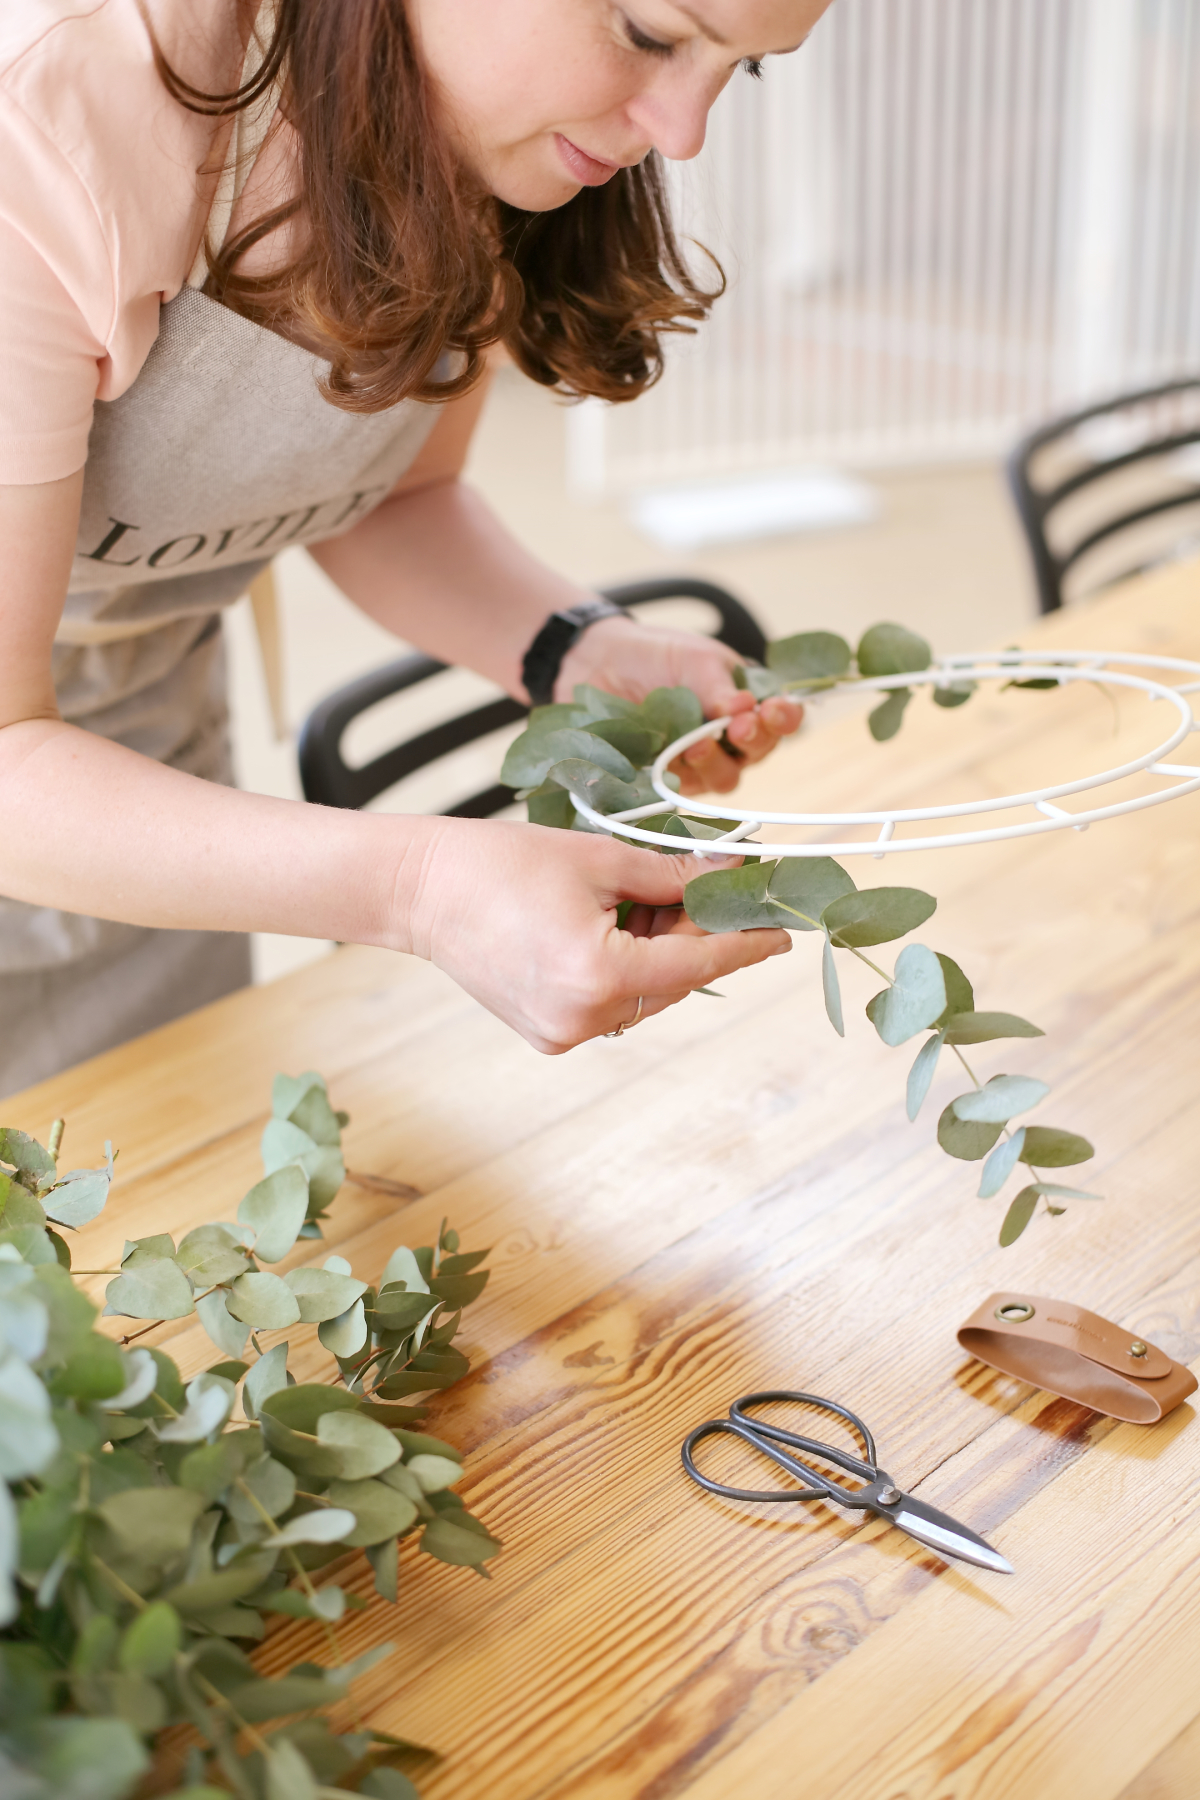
(598, 750)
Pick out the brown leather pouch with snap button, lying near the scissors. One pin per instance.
(1075, 1353)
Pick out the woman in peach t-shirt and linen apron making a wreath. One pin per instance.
(368, 193)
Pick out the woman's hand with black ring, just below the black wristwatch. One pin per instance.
(632, 660)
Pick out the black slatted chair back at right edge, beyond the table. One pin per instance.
(1107, 492)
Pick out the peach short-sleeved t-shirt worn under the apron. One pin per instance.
(105, 190)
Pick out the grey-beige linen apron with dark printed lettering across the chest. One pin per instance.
(222, 454)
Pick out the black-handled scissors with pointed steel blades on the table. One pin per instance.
(877, 1495)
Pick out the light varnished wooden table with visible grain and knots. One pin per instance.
(731, 1198)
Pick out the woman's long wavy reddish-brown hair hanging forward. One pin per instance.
(404, 260)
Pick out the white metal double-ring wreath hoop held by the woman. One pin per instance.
(1010, 665)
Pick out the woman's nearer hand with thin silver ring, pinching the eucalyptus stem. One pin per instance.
(526, 921)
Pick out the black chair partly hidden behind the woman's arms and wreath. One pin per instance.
(330, 782)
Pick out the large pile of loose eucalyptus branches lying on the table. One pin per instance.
(147, 1534)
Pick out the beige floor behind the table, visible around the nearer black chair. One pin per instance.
(944, 557)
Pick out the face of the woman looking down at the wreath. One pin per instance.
(551, 96)
